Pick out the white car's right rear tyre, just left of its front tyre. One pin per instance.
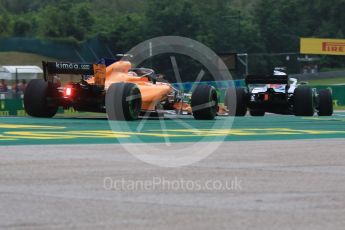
(303, 101)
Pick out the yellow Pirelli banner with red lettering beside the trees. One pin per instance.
(323, 46)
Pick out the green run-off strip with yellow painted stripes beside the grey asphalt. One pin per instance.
(26, 131)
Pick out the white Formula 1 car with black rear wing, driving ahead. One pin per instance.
(280, 94)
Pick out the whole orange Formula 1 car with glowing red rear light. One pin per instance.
(115, 88)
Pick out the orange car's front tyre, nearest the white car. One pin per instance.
(204, 102)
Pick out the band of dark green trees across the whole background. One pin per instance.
(255, 26)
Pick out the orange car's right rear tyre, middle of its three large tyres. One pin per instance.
(123, 102)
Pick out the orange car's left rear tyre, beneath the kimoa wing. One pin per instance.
(35, 99)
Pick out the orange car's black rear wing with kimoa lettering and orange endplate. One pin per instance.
(54, 68)
